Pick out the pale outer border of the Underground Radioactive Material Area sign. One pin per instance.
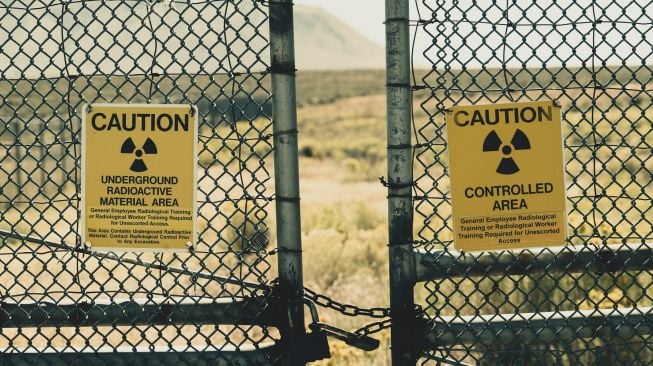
(82, 200)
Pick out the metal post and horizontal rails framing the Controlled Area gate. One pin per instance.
(410, 333)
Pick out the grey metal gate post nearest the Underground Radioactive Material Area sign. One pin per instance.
(286, 164)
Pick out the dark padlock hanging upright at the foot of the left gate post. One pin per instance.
(311, 346)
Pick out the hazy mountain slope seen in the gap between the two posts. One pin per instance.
(323, 42)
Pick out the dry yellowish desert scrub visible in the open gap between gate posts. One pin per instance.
(342, 154)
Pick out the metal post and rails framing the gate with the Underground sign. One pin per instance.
(281, 313)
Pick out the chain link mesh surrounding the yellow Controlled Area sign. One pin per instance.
(589, 303)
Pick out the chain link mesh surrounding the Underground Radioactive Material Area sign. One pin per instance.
(57, 56)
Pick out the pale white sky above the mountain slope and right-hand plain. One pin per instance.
(485, 44)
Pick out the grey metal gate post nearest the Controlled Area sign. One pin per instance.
(400, 181)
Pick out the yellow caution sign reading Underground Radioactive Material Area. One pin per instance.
(139, 164)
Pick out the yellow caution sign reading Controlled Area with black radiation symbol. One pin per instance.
(507, 176)
